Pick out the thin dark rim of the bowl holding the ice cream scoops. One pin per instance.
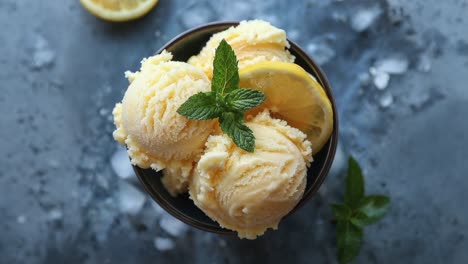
(319, 179)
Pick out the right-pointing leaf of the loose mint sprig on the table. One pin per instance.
(371, 209)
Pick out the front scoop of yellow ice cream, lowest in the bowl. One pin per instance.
(251, 192)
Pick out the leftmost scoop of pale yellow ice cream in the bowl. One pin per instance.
(147, 122)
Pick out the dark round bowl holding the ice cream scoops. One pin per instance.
(183, 47)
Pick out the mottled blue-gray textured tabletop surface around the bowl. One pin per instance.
(67, 194)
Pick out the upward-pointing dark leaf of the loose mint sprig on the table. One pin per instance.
(354, 184)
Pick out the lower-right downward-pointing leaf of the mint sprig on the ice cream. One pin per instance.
(232, 123)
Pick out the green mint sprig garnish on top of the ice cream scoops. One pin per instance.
(226, 100)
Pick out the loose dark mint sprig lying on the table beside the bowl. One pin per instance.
(357, 211)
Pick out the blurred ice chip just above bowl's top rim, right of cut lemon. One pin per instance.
(196, 14)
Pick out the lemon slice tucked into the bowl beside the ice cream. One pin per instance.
(294, 96)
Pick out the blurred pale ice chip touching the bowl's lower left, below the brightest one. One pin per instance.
(131, 200)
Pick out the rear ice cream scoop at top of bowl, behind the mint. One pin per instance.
(253, 41)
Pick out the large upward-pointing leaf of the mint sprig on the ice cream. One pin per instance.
(225, 70)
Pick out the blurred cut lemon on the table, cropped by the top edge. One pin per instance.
(119, 10)
